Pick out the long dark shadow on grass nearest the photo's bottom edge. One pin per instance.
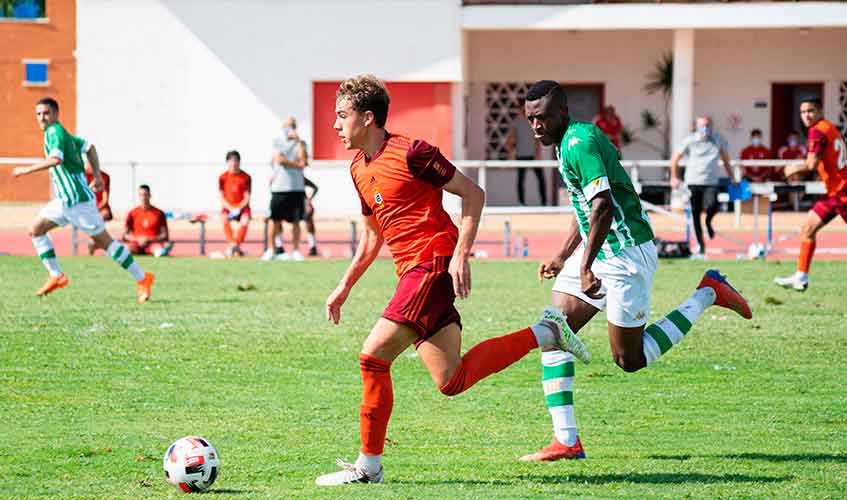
(651, 478)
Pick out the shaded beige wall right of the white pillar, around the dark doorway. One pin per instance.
(734, 68)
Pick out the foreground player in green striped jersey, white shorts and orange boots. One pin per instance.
(607, 261)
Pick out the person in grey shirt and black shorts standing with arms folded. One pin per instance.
(288, 191)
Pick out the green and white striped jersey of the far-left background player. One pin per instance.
(68, 177)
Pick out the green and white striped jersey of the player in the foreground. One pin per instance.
(589, 164)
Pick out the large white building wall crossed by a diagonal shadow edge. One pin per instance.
(186, 80)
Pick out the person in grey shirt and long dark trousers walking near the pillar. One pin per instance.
(702, 150)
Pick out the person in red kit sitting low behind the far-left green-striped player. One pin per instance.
(146, 228)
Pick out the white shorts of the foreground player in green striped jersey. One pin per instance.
(626, 280)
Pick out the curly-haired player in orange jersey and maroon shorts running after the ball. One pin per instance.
(400, 182)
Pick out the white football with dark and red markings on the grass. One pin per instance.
(191, 464)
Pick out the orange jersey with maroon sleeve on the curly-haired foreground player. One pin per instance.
(402, 187)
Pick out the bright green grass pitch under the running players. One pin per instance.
(93, 388)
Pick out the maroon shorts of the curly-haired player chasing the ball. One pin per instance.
(424, 299)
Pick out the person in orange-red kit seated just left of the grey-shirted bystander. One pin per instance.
(235, 185)
